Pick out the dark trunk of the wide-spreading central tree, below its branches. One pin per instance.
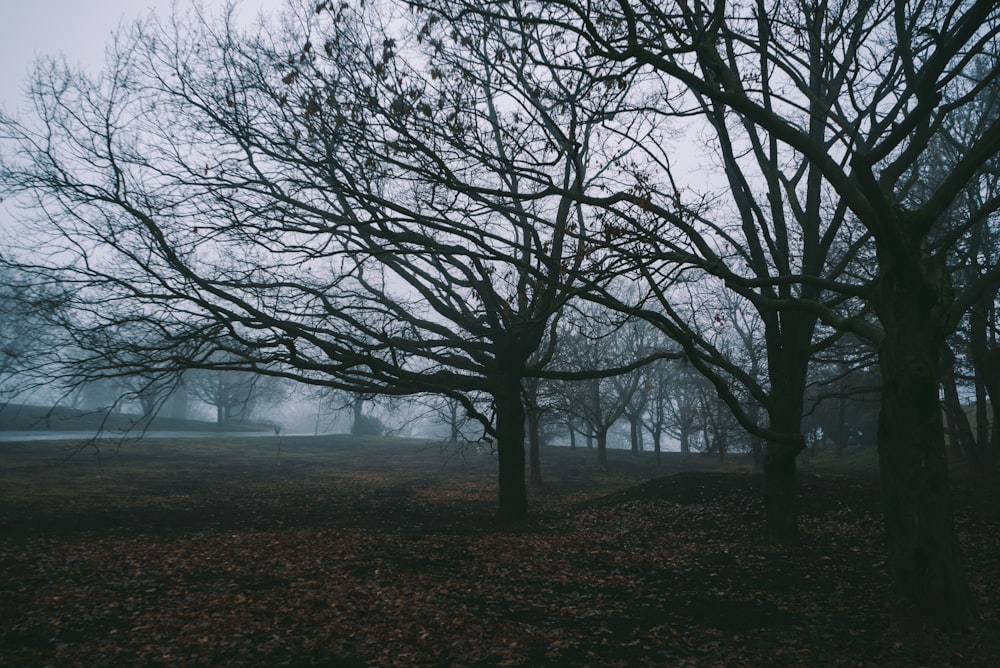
(510, 451)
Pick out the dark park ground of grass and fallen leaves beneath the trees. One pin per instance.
(344, 552)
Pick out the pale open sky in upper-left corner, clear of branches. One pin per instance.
(78, 29)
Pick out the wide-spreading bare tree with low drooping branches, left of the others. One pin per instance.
(370, 202)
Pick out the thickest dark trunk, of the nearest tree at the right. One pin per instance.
(924, 561)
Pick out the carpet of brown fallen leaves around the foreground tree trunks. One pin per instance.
(296, 572)
